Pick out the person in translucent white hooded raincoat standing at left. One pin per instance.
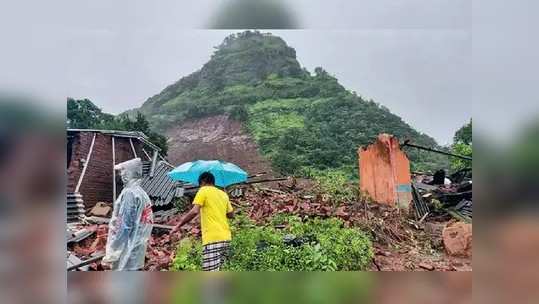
(131, 223)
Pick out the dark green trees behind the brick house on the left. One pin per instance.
(83, 114)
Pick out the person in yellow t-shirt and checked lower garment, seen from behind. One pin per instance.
(214, 208)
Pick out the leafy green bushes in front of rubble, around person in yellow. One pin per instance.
(311, 245)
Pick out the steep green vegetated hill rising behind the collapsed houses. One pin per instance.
(301, 121)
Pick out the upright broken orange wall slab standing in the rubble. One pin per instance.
(384, 172)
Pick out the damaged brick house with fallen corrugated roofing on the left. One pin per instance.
(91, 179)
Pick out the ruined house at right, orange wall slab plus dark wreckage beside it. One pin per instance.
(385, 176)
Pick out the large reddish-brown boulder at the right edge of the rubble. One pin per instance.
(457, 238)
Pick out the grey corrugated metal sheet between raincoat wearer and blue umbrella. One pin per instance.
(160, 187)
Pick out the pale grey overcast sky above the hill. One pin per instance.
(416, 57)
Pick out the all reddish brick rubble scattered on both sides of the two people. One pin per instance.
(400, 243)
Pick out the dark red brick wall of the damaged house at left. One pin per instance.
(97, 183)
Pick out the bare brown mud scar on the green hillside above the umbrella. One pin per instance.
(216, 137)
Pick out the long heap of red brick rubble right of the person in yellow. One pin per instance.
(400, 243)
